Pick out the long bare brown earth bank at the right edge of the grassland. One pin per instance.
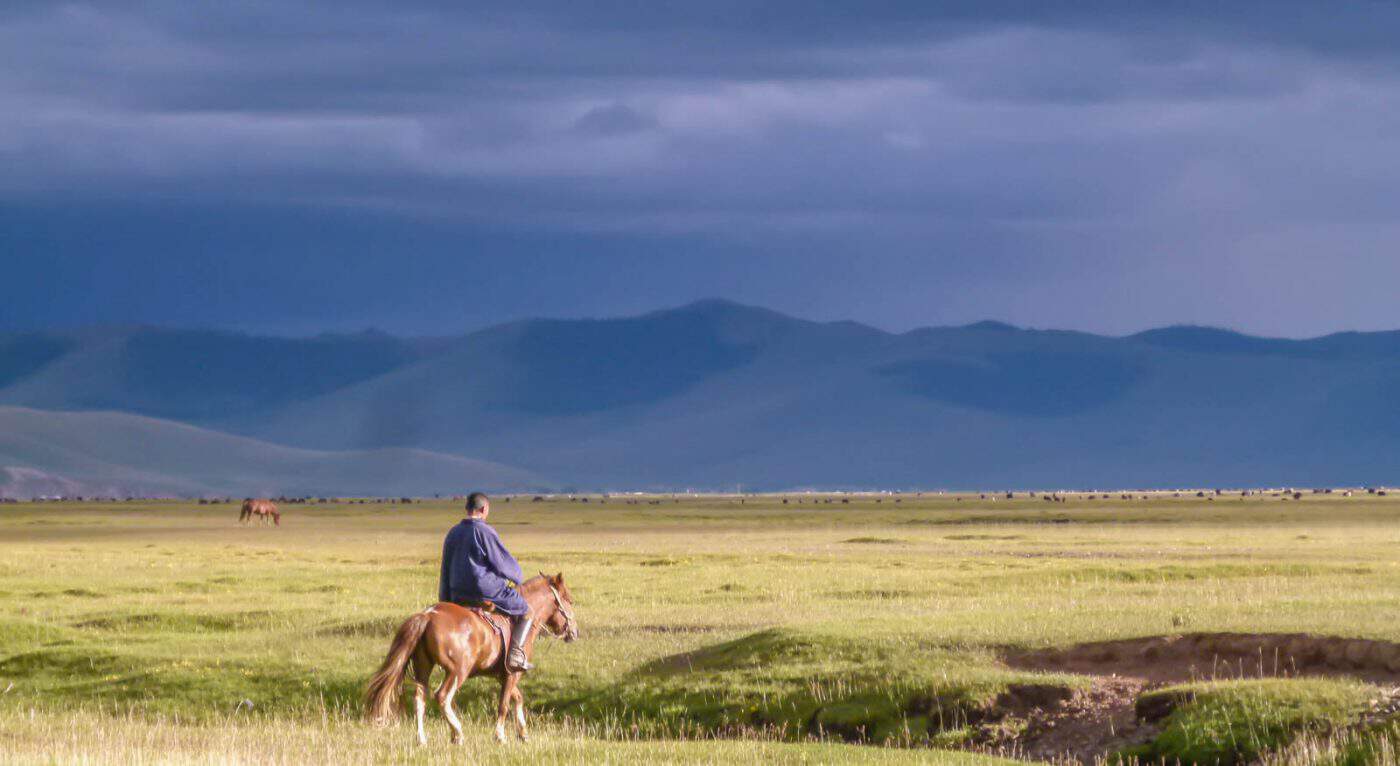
(1221, 656)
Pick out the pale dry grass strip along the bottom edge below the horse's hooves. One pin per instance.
(321, 736)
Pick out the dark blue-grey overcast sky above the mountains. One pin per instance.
(426, 170)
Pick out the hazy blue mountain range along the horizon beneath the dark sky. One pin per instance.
(712, 396)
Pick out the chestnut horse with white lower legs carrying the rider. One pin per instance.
(458, 641)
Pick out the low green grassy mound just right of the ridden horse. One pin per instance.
(804, 684)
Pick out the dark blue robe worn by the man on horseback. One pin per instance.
(478, 568)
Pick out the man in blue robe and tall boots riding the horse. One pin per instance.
(478, 568)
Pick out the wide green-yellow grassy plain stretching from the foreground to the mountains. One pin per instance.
(138, 631)
